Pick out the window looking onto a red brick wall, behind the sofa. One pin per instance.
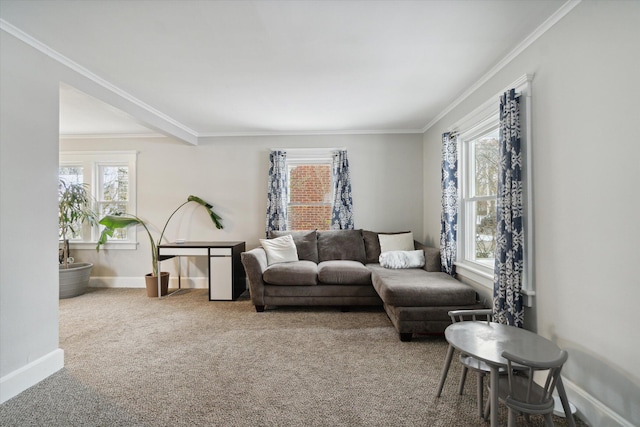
(310, 189)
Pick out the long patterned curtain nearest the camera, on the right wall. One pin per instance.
(507, 282)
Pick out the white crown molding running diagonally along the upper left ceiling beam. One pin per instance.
(57, 56)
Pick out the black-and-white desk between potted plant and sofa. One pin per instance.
(224, 270)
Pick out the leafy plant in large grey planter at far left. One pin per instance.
(74, 209)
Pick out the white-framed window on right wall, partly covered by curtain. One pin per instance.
(478, 140)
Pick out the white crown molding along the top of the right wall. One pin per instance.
(535, 35)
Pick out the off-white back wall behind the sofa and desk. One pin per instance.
(231, 173)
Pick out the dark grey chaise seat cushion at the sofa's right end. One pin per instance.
(418, 288)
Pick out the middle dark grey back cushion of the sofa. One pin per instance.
(341, 244)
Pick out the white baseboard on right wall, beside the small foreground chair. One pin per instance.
(591, 410)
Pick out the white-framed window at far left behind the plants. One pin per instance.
(112, 180)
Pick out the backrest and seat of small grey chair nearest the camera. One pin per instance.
(524, 392)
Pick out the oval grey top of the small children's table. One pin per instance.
(487, 342)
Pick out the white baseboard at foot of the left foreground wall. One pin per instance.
(29, 375)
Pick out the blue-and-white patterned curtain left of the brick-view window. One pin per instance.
(277, 195)
